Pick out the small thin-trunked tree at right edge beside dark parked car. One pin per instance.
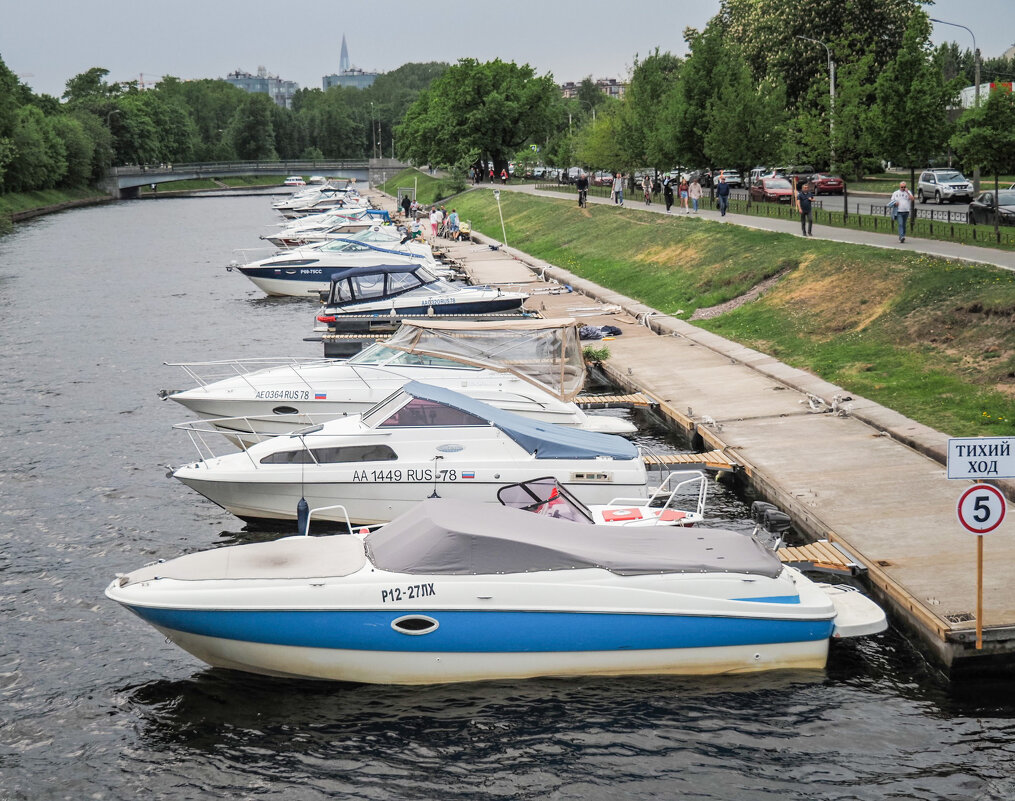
(986, 138)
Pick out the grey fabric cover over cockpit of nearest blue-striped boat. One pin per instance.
(442, 537)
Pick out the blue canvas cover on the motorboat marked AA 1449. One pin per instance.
(543, 440)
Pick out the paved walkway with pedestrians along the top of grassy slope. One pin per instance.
(946, 250)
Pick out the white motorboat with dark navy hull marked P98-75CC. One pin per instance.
(308, 272)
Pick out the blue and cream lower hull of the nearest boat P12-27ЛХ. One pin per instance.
(687, 646)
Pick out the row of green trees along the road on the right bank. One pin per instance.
(754, 90)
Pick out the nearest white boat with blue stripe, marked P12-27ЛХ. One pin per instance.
(455, 591)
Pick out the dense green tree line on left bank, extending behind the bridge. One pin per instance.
(72, 143)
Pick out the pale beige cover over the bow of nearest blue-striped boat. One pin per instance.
(291, 558)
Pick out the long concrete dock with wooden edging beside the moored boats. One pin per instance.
(848, 472)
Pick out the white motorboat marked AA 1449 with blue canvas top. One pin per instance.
(422, 441)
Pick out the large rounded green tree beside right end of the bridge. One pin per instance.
(492, 108)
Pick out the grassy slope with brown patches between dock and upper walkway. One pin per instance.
(931, 339)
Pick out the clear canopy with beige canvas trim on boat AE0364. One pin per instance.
(547, 353)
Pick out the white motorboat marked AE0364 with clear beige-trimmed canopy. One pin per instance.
(533, 368)
